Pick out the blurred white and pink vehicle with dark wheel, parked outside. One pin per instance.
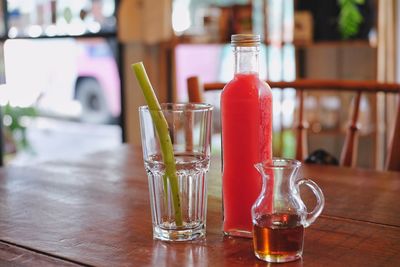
(67, 77)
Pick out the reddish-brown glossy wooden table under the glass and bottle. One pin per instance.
(96, 212)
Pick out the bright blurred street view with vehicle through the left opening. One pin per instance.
(61, 92)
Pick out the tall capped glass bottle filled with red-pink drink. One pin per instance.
(246, 117)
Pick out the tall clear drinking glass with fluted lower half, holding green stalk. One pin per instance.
(178, 214)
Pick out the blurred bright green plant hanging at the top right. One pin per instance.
(350, 17)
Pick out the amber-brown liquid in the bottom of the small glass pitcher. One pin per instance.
(278, 237)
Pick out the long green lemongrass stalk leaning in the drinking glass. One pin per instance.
(163, 134)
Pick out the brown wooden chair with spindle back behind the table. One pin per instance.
(349, 150)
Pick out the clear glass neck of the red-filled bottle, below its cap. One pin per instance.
(246, 59)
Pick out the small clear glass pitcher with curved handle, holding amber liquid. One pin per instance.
(279, 215)
